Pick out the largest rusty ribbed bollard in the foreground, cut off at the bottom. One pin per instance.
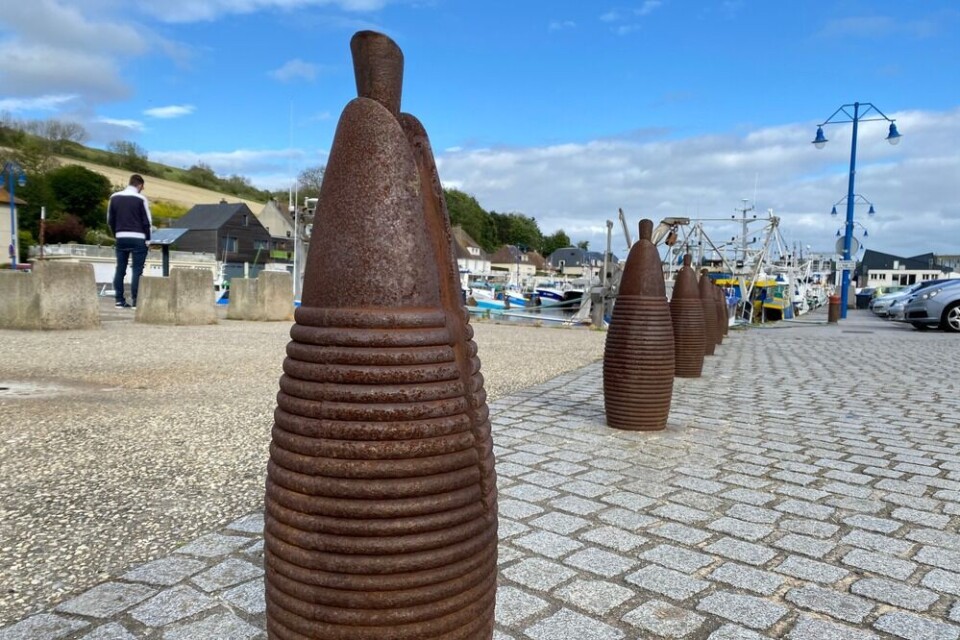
(381, 514)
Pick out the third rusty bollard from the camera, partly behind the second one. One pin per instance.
(689, 330)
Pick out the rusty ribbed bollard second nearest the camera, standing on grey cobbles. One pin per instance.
(638, 358)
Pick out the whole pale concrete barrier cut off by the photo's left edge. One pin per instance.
(53, 296)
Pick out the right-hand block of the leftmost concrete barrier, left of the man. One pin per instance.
(68, 295)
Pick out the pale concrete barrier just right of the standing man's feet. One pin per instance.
(184, 298)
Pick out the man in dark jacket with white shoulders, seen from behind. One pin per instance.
(128, 216)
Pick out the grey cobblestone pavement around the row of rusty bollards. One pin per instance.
(807, 487)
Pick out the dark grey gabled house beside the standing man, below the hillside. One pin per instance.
(228, 230)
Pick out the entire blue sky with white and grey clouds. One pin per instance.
(565, 111)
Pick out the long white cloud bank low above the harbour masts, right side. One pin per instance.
(577, 187)
